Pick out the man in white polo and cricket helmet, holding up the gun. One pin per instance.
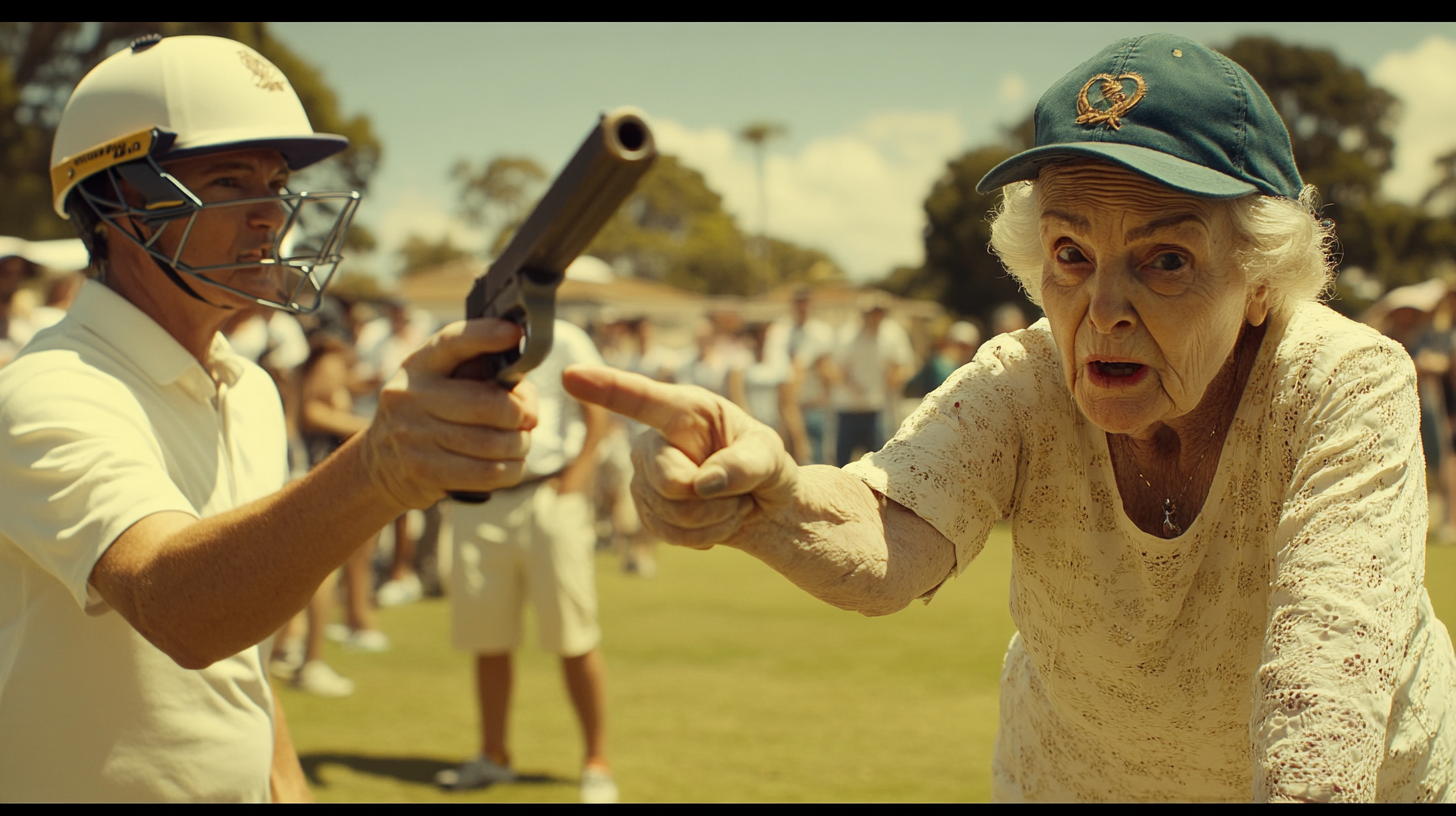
(148, 540)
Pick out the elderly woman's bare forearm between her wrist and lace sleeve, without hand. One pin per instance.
(848, 546)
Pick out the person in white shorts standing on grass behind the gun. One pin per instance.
(537, 543)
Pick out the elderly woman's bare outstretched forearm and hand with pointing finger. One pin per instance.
(716, 476)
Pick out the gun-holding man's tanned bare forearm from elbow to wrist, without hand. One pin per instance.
(202, 591)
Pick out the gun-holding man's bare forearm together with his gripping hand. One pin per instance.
(202, 591)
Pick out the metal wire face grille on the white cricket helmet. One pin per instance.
(290, 273)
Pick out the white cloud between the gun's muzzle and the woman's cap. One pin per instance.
(858, 196)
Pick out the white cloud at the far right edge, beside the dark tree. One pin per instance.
(1425, 79)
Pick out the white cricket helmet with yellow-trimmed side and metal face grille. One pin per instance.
(174, 98)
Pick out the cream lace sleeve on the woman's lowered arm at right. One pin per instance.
(1346, 581)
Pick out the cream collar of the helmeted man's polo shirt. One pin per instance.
(149, 346)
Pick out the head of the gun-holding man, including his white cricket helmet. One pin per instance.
(158, 109)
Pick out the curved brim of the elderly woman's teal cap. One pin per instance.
(1163, 168)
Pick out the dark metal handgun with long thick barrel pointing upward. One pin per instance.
(521, 286)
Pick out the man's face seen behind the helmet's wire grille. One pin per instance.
(234, 235)
